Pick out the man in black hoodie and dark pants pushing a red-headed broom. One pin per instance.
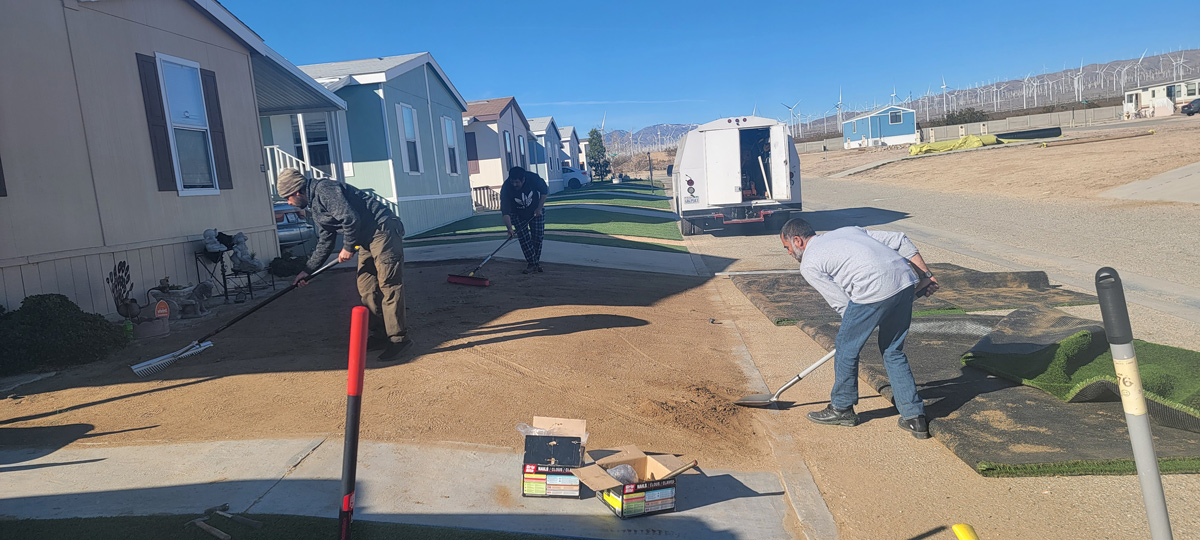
(521, 200)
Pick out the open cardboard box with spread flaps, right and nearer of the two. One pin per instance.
(643, 499)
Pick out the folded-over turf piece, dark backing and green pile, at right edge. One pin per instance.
(1070, 359)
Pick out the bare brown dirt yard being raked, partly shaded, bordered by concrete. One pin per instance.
(634, 355)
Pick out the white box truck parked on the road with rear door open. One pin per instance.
(736, 171)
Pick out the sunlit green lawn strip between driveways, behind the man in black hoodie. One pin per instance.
(574, 219)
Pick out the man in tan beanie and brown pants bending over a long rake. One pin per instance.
(367, 224)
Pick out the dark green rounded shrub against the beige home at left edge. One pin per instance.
(50, 331)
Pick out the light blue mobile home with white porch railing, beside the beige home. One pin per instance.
(401, 136)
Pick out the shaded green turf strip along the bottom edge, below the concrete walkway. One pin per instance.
(275, 527)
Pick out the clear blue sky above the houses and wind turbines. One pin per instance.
(649, 63)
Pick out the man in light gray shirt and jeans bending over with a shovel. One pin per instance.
(868, 278)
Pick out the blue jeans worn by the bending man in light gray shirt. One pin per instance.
(892, 317)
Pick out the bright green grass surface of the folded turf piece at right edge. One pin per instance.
(1169, 375)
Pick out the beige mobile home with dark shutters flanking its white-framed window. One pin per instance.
(130, 128)
